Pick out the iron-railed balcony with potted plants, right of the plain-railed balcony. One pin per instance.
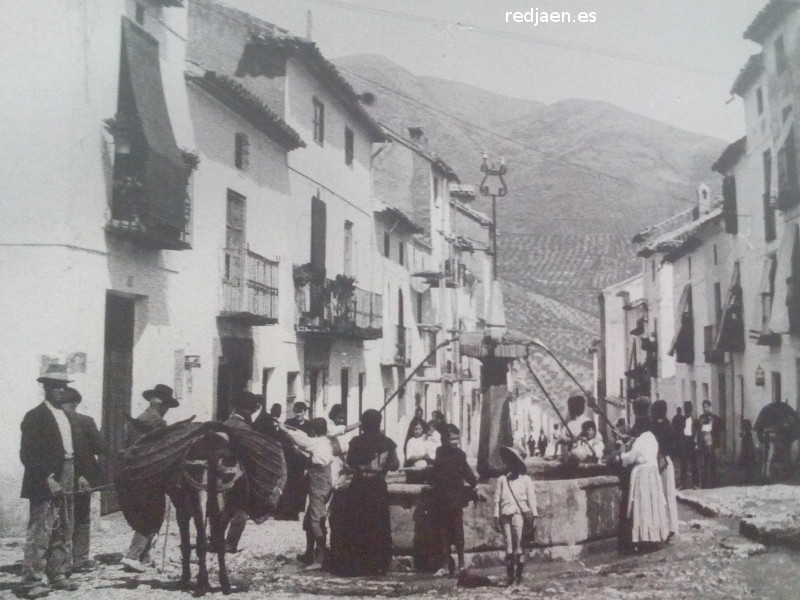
(325, 308)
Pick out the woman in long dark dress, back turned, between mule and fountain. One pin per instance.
(361, 537)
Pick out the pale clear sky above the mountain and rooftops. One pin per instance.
(672, 60)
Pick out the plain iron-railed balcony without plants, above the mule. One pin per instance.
(250, 287)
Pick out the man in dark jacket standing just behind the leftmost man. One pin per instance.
(88, 445)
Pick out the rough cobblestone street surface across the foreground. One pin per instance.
(708, 560)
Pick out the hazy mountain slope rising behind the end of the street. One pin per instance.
(583, 177)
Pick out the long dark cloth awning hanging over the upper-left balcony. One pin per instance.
(165, 173)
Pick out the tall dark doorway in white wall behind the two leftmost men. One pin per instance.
(117, 381)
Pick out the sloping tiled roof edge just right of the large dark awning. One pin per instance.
(239, 99)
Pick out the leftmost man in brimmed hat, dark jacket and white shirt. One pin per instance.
(46, 452)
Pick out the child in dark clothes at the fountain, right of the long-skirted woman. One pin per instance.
(450, 476)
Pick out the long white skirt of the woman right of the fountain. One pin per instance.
(647, 505)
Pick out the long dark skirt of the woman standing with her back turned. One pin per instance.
(361, 536)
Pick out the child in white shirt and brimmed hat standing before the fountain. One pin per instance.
(514, 503)
